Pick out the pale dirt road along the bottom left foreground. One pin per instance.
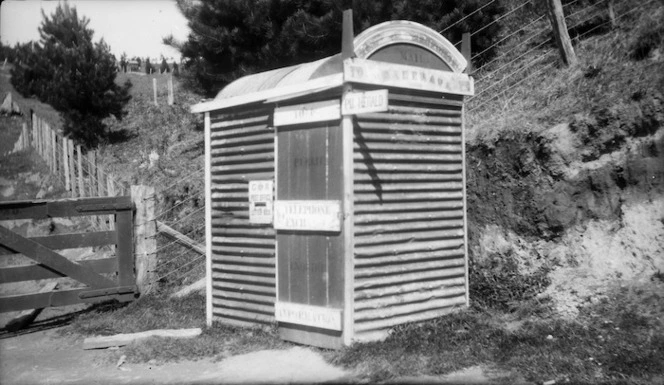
(47, 357)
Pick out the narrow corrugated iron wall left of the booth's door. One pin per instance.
(243, 254)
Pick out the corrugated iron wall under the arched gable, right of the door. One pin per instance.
(409, 218)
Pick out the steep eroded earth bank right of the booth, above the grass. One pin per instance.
(566, 171)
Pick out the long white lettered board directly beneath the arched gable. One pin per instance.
(398, 75)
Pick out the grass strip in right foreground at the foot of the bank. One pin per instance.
(590, 350)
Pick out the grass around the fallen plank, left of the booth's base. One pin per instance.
(161, 312)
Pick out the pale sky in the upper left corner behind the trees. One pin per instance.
(132, 26)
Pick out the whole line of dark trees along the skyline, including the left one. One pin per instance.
(228, 39)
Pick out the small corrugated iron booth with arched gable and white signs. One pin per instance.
(336, 191)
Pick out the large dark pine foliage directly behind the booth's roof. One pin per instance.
(233, 38)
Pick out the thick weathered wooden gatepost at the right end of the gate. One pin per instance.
(145, 242)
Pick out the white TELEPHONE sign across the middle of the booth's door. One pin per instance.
(307, 215)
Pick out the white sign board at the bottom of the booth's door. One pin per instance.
(316, 316)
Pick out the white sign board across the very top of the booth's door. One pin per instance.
(307, 113)
